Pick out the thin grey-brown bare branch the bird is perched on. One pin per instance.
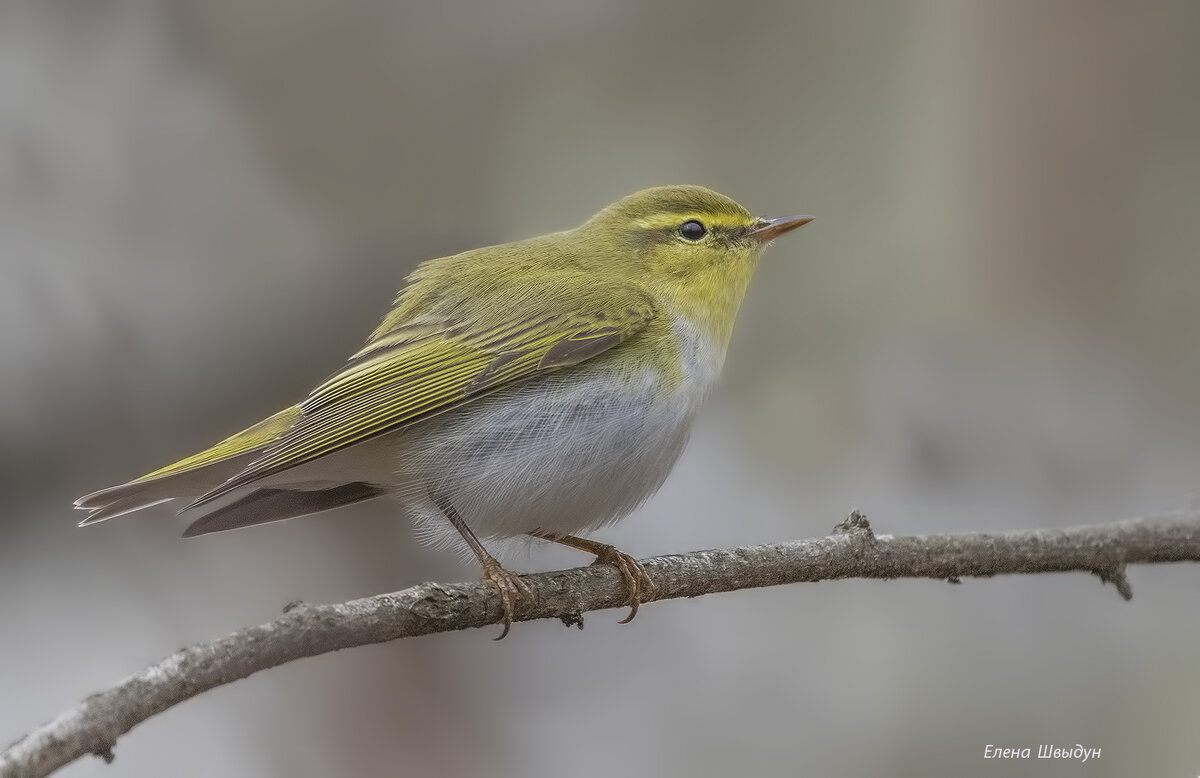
(853, 552)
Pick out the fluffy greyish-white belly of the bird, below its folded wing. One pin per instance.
(565, 456)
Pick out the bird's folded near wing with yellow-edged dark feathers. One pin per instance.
(428, 366)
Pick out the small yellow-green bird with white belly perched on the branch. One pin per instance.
(544, 387)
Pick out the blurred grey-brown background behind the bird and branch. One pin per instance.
(993, 325)
